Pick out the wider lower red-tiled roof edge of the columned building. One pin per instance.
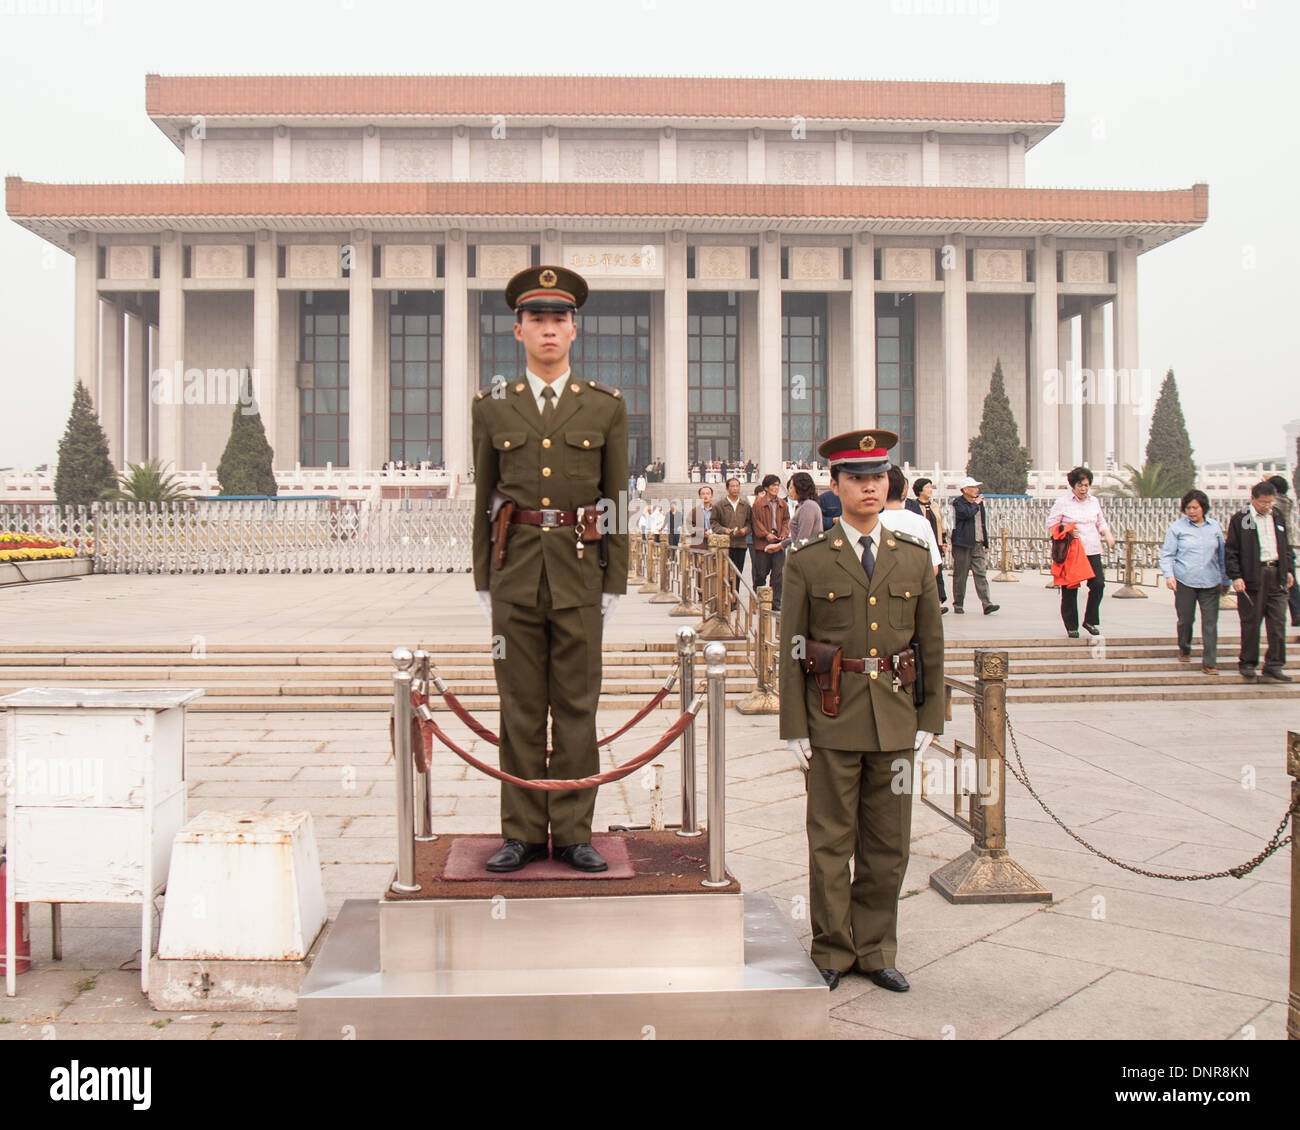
(32, 201)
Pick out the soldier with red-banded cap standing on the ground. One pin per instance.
(870, 592)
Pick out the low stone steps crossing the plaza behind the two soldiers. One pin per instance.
(356, 677)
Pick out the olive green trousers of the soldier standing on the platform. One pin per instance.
(548, 661)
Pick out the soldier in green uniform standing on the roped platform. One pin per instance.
(557, 448)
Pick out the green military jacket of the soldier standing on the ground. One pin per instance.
(829, 599)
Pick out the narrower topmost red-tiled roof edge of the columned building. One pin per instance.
(597, 97)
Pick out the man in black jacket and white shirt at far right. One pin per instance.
(1259, 561)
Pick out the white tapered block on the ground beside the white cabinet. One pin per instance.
(245, 886)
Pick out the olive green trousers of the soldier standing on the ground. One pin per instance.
(853, 812)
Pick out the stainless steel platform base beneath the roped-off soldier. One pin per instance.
(775, 993)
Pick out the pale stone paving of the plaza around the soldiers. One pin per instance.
(1115, 955)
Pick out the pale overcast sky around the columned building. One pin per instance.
(1159, 96)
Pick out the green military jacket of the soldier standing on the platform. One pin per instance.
(580, 461)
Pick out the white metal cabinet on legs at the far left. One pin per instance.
(97, 795)
